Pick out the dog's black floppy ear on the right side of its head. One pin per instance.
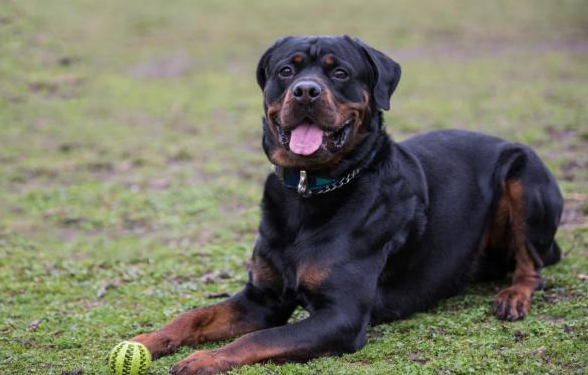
(386, 74)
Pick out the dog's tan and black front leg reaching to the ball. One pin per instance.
(246, 311)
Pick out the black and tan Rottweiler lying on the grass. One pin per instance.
(360, 230)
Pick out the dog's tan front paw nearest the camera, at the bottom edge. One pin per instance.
(202, 363)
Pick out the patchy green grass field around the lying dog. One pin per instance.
(131, 168)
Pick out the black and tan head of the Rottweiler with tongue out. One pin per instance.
(320, 97)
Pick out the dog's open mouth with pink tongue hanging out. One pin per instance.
(307, 137)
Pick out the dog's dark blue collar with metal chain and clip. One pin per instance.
(307, 183)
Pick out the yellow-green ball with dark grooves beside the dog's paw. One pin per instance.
(129, 358)
